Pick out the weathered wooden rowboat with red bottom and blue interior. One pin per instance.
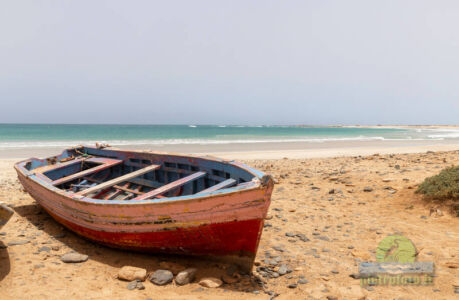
(154, 202)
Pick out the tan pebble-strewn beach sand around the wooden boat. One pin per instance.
(343, 227)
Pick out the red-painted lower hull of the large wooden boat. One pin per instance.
(238, 238)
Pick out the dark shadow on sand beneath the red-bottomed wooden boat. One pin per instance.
(119, 258)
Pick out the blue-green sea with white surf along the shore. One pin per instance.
(55, 135)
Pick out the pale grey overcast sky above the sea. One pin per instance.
(229, 62)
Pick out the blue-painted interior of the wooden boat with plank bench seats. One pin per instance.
(134, 175)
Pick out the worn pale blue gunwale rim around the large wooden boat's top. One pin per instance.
(260, 180)
